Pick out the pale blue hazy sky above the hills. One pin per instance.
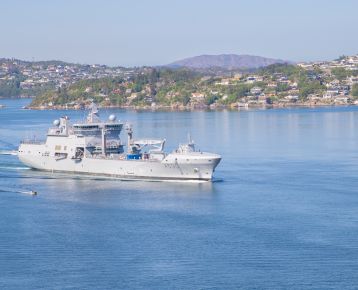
(158, 32)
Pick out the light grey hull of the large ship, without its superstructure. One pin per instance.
(175, 166)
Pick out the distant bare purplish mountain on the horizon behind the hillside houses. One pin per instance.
(227, 61)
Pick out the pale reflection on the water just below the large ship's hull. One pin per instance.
(108, 192)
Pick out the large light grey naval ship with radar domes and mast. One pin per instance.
(94, 147)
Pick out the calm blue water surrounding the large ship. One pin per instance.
(282, 213)
